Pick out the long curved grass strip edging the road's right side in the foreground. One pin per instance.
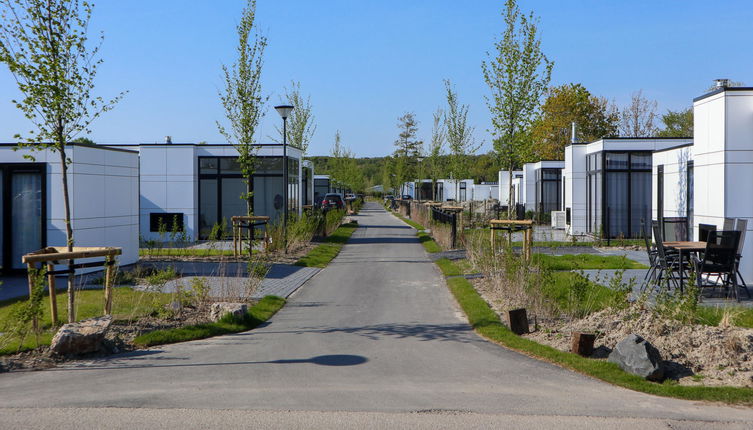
(486, 322)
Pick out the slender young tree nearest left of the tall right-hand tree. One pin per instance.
(459, 135)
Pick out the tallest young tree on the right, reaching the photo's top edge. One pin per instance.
(518, 76)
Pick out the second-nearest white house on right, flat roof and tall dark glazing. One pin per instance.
(607, 185)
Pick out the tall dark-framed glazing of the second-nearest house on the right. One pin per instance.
(619, 193)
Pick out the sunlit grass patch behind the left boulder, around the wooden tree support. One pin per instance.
(127, 304)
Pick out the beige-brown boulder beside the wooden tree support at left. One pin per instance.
(81, 337)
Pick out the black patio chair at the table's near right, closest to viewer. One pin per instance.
(720, 259)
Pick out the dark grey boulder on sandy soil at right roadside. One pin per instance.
(637, 356)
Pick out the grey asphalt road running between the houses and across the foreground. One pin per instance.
(375, 340)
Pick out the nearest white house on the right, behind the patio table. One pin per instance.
(708, 180)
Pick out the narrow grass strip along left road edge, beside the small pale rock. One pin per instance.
(257, 314)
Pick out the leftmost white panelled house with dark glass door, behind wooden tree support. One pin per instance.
(103, 186)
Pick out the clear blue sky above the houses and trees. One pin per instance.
(364, 63)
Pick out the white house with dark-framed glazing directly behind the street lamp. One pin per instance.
(200, 185)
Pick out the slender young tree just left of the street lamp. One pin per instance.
(242, 99)
